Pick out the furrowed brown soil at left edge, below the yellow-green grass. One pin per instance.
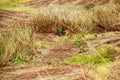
(9, 18)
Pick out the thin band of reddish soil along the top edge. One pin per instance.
(38, 3)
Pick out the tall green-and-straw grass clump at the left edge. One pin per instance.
(16, 46)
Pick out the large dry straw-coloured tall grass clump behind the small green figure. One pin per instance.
(73, 18)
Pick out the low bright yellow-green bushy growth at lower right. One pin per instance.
(105, 54)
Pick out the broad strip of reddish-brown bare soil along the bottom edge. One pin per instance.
(74, 72)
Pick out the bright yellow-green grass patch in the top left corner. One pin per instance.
(13, 5)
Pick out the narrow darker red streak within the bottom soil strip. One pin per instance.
(47, 72)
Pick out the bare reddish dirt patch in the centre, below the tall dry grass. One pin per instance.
(55, 51)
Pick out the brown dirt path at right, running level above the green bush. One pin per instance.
(113, 41)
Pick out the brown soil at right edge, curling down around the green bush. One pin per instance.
(113, 42)
